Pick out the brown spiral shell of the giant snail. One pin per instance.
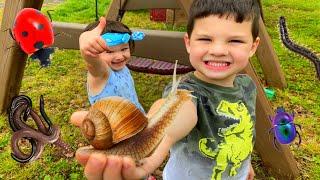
(112, 120)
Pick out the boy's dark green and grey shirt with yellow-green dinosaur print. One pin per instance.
(220, 145)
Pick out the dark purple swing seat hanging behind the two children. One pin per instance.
(150, 66)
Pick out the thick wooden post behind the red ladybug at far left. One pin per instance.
(12, 59)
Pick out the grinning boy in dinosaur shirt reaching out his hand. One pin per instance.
(213, 135)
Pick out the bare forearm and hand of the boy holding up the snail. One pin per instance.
(114, 167)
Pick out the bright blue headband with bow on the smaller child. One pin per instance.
(114, 39)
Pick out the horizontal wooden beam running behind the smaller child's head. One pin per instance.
(157, 44)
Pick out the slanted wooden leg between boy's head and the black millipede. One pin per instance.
(269, 60)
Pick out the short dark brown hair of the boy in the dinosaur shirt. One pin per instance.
(242, 10)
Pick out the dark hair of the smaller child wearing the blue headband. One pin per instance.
(113, 27)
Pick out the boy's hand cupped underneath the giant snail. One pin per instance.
(100, 166)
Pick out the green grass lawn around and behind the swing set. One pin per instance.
(64, 88)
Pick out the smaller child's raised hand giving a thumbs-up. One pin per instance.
(90, 42)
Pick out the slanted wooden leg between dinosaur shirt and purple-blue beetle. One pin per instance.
(281, 162)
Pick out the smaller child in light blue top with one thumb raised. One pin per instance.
(107, 71)
